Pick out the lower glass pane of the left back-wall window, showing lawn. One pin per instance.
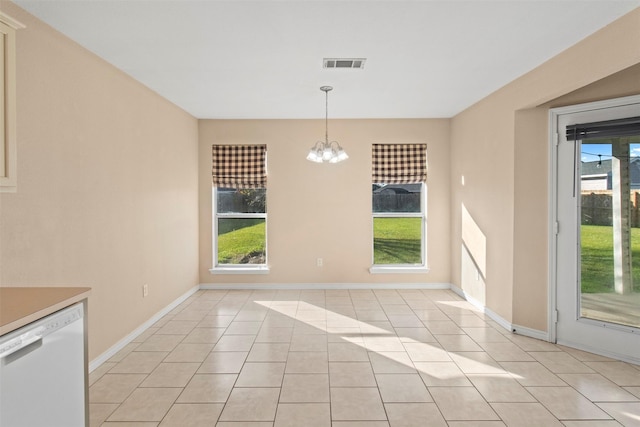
(241, 241)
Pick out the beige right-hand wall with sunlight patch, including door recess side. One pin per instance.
(498, 148)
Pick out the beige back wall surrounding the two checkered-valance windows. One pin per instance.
(324, 210)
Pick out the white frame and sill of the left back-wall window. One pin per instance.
(235, 268)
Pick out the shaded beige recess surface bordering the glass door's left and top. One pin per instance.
(531, 195)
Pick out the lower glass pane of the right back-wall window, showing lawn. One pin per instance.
(397, 240)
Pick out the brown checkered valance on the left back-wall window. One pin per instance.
(239, 166)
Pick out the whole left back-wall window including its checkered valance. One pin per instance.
(239, 208)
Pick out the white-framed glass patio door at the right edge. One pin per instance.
(597, 241)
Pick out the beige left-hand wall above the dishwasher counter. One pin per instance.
(107, 186)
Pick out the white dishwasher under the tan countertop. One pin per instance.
(43, 374)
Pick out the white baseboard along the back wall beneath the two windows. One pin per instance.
(293, 286)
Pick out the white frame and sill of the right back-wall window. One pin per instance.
(403, 268)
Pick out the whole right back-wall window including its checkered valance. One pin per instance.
(399, 207)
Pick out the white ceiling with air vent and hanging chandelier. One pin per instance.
(263, 58)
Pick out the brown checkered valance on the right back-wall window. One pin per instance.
(399, 163)
